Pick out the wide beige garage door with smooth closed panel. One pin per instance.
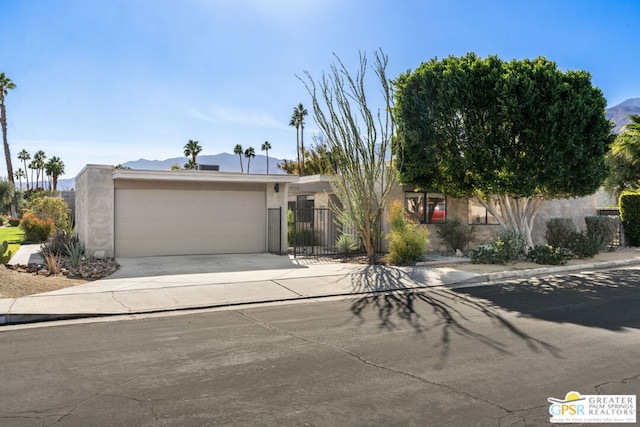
(150, 222)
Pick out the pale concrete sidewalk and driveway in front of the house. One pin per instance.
(159, 284)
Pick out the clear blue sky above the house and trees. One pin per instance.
(107, 81)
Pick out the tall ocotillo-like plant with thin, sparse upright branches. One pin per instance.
(358, 136)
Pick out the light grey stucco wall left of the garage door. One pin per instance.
(94, 210)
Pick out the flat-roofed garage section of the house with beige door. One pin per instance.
(131, 213)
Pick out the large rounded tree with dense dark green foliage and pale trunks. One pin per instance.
(510, 134)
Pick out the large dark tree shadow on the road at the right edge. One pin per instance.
(604, 299)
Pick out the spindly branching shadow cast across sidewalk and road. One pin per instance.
(396, 301)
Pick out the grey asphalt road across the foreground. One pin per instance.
(477, 356)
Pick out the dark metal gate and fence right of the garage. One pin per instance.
(315, 231)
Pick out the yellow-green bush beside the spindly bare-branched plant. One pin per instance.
(407, 240)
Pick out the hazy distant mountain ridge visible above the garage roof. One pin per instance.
(227, 162)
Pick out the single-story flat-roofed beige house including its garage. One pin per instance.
(135, 213)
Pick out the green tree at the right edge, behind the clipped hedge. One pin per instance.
(624, 159)
